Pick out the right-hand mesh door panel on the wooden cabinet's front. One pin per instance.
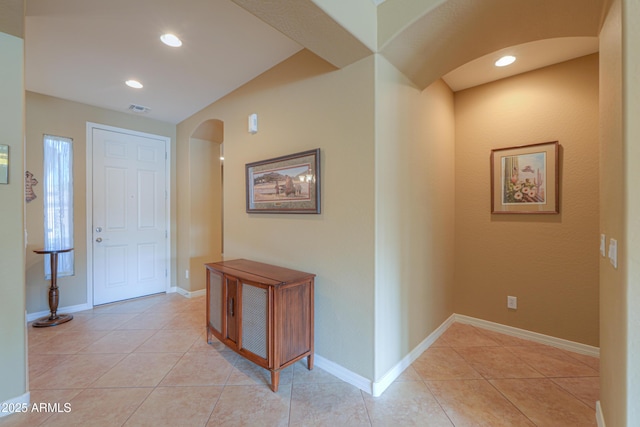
(254, 320)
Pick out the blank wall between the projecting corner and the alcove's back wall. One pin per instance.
(414, 213)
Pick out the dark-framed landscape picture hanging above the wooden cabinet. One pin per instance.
(286, 184)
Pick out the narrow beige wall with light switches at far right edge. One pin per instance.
(619, 215)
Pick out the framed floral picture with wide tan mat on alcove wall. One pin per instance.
(525, 179)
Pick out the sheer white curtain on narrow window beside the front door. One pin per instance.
(58, 202)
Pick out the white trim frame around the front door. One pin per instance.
(89, 200)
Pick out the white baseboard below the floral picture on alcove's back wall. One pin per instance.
(530, 336)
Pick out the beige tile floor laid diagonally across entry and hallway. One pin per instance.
(146, 362)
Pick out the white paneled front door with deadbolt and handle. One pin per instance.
(129, 227)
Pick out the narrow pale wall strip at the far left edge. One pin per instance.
(13, 357)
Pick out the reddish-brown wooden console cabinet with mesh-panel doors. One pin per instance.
(263, 312)
